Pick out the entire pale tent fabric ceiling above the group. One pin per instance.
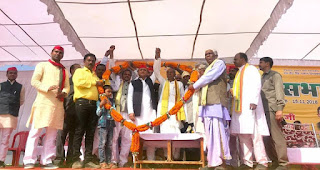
(29, 29)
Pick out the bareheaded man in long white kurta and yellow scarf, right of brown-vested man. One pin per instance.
(248, 118)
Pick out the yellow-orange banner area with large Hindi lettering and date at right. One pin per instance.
(301, 88)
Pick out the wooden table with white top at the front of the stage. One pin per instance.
(170, 140)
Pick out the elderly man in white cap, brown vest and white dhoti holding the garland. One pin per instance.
(213, 109)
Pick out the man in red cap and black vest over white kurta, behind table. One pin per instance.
(146, 104)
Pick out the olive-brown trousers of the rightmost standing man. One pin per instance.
(275, 144)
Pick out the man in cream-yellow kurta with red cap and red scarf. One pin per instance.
(52, 83)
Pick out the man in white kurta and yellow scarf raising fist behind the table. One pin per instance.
(173, 124)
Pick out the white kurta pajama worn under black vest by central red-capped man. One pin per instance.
(147, 114)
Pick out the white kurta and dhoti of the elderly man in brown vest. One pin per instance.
(215, 119)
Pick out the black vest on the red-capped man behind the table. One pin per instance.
(137, 93)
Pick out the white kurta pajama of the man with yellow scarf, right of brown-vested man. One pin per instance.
(251, 125)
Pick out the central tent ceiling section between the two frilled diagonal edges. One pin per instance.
(168, 24)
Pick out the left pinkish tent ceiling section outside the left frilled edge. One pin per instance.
(28, 33)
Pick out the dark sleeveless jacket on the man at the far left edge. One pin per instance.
(10, 98)
